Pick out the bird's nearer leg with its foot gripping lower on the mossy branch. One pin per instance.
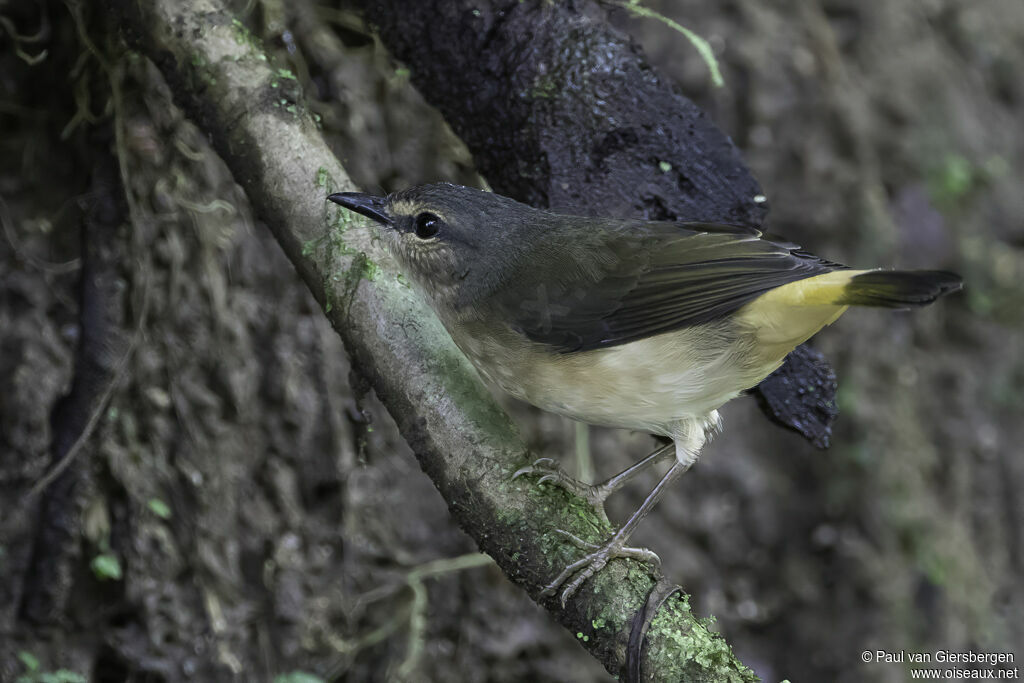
(590, 565)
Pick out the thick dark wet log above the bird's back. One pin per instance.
(563, 111)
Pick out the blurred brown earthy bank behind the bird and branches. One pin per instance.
(246, 513)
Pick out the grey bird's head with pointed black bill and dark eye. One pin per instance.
(456, 243)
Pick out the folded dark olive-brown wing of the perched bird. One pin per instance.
(630, 281)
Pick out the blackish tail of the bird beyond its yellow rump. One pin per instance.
(900, 289)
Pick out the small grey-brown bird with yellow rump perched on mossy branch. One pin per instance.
(641, 325)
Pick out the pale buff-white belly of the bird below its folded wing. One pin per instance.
(651, 385)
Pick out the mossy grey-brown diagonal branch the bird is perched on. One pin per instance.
(260, 125)
